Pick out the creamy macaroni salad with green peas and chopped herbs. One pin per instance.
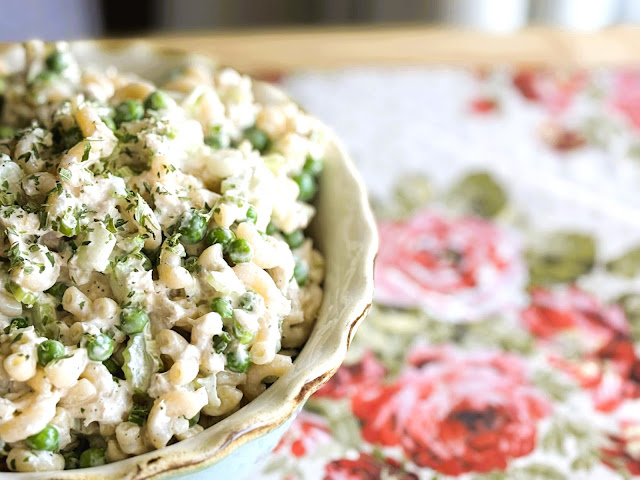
(155, 275)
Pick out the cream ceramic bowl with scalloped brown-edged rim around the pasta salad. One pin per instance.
(345, 232)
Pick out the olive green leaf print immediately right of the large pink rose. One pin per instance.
(560, 257)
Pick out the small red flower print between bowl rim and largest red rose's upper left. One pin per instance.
(351, 378)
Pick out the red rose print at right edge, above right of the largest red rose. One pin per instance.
(609, 367)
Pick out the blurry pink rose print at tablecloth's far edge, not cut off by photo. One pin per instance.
(555, 90)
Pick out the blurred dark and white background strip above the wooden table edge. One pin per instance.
(70, 19)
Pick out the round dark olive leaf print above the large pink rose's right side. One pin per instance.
(477, 194)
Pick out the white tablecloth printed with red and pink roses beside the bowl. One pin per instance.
(504, 342)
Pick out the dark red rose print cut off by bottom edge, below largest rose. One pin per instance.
(366, 467)
